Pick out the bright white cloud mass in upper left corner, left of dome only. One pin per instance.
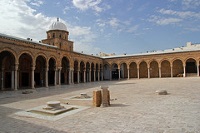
(20, 20)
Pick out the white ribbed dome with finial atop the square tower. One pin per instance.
(58, 26)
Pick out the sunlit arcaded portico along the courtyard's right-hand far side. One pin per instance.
(153, 65)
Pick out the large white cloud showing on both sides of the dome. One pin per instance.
(20, 20)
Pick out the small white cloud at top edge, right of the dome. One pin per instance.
(87, 4)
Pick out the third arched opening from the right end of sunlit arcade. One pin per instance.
(165, 69)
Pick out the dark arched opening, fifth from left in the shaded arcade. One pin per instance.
(65, 71)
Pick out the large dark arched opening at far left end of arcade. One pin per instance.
(7, 61)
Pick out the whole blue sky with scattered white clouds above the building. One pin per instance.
(110, 26)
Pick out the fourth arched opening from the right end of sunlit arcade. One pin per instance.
(154, 70)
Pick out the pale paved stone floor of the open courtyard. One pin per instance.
(135, 108)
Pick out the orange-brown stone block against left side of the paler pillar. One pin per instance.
(97, 98)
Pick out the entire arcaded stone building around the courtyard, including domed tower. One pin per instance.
(52, 61)
